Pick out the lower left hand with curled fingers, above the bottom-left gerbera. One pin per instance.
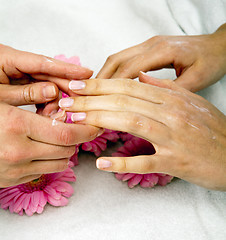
(31, 146)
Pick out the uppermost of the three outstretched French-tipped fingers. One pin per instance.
(119, 86)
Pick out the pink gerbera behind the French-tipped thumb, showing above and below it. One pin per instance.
(138, 146)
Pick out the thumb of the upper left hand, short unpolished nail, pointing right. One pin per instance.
(34, 93)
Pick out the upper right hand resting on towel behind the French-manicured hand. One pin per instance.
(199, 61)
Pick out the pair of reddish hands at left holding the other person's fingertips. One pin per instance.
(30, 145)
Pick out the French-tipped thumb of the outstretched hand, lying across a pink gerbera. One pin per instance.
(138, 164)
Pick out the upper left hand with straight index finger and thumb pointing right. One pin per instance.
(22, 69)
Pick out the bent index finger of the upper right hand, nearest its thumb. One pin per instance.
(153, 59)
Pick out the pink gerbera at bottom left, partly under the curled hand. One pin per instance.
(32, 197)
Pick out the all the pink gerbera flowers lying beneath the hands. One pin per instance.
(53, 188)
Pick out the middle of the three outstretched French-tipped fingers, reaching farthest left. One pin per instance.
(116, 102)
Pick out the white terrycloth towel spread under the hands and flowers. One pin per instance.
(103, 208)
